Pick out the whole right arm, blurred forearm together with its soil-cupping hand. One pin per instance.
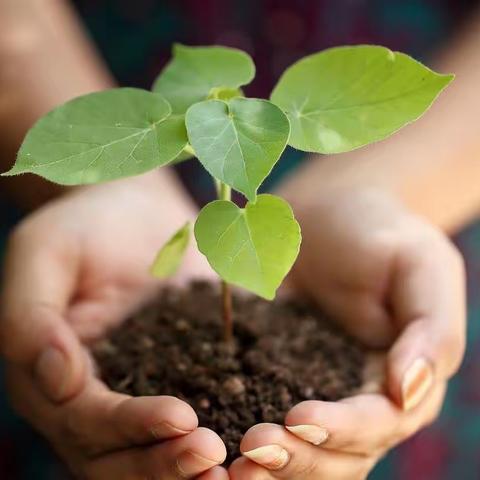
(391, 279)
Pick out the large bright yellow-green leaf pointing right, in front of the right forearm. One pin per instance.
(346, 97)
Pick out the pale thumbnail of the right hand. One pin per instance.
(416, 382)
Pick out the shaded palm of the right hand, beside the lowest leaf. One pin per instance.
(347, 262)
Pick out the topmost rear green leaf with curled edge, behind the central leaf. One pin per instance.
(194, 73)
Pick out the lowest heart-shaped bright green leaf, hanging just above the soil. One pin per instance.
(254, 247)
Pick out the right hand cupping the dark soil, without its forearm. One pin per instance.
(394, 282)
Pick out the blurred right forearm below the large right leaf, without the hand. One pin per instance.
(433, 165)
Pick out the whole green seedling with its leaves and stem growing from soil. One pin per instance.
(329, 102)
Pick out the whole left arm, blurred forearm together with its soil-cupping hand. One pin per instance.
(94, 245)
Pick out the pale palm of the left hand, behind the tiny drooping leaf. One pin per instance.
(109, 241)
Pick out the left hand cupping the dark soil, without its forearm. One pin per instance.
(74, 269)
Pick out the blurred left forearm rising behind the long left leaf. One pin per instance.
(46, 60)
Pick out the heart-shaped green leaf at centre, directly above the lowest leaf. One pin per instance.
(238, 142)
